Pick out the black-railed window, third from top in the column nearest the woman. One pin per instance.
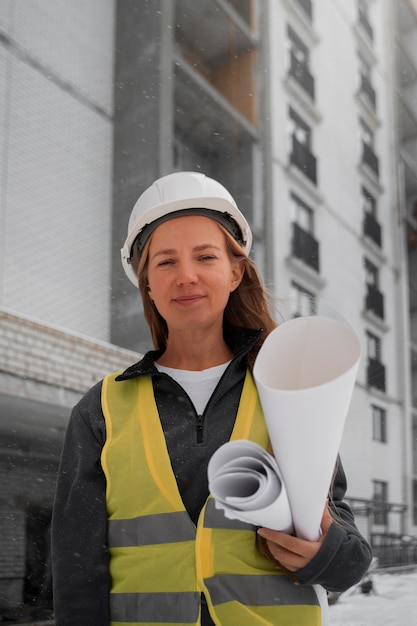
(304, 245)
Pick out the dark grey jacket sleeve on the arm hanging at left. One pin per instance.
(79, 523)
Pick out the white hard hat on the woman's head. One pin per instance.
(178, 194)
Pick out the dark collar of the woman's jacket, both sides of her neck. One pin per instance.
(240, 340)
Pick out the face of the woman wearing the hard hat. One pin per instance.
(190, 273)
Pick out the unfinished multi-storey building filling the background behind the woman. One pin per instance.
(305, 111)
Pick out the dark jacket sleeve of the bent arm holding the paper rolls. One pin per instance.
(345, 555)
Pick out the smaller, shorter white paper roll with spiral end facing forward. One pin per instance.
(245, 481)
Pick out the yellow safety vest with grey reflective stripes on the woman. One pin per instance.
(160, 563)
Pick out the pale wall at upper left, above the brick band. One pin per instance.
(56, 68)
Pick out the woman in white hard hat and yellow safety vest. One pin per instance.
(136, 537)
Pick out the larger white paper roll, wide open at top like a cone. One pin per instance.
(305, 374)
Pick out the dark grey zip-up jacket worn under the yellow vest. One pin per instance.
(79, 526)
